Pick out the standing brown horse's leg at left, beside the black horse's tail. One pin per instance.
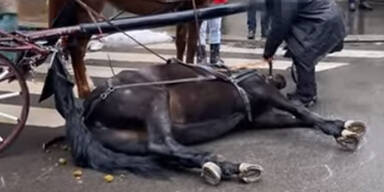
(77, 50)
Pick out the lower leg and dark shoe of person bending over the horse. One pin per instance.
(306, 88)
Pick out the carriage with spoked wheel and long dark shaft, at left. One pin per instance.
(33, 50)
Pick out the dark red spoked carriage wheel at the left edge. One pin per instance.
(14, 102)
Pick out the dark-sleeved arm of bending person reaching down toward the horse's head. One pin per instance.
(283, 14)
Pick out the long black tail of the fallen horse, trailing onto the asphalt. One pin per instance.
(86, 150)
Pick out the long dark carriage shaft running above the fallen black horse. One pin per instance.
(144, 22)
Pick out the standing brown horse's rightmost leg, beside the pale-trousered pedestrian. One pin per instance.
(193, 33)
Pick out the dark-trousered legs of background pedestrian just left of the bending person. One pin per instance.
(265, 20)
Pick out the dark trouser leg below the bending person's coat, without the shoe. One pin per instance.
(306, 80)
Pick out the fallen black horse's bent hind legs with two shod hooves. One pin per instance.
(161, 142)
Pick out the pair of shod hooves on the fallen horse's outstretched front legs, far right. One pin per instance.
(351, 135)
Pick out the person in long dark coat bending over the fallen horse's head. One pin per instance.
(311, 29)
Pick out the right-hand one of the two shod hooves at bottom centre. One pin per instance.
(250, 173)
